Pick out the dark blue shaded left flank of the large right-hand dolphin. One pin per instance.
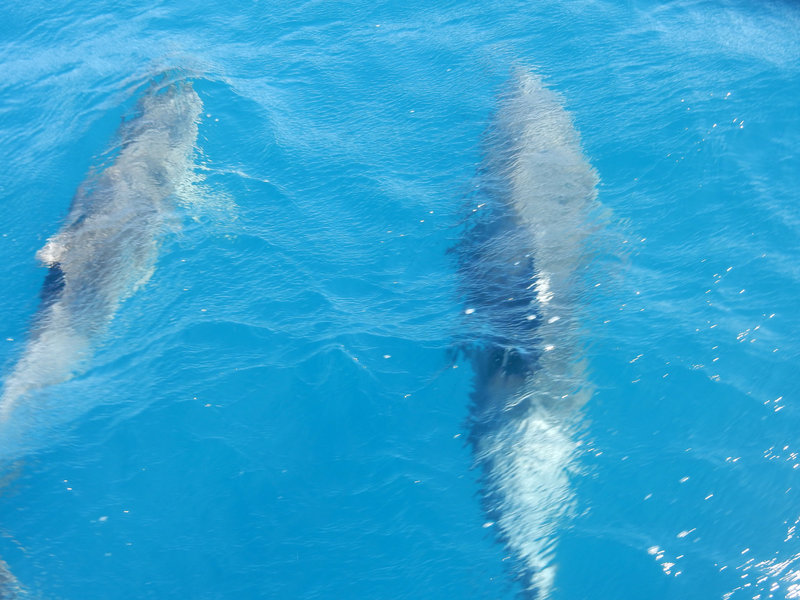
(498, 280)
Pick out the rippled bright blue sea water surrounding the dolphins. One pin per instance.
(276, 413)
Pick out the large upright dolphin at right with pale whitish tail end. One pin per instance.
(520, 262)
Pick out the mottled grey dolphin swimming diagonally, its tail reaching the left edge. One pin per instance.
(108, 244)
